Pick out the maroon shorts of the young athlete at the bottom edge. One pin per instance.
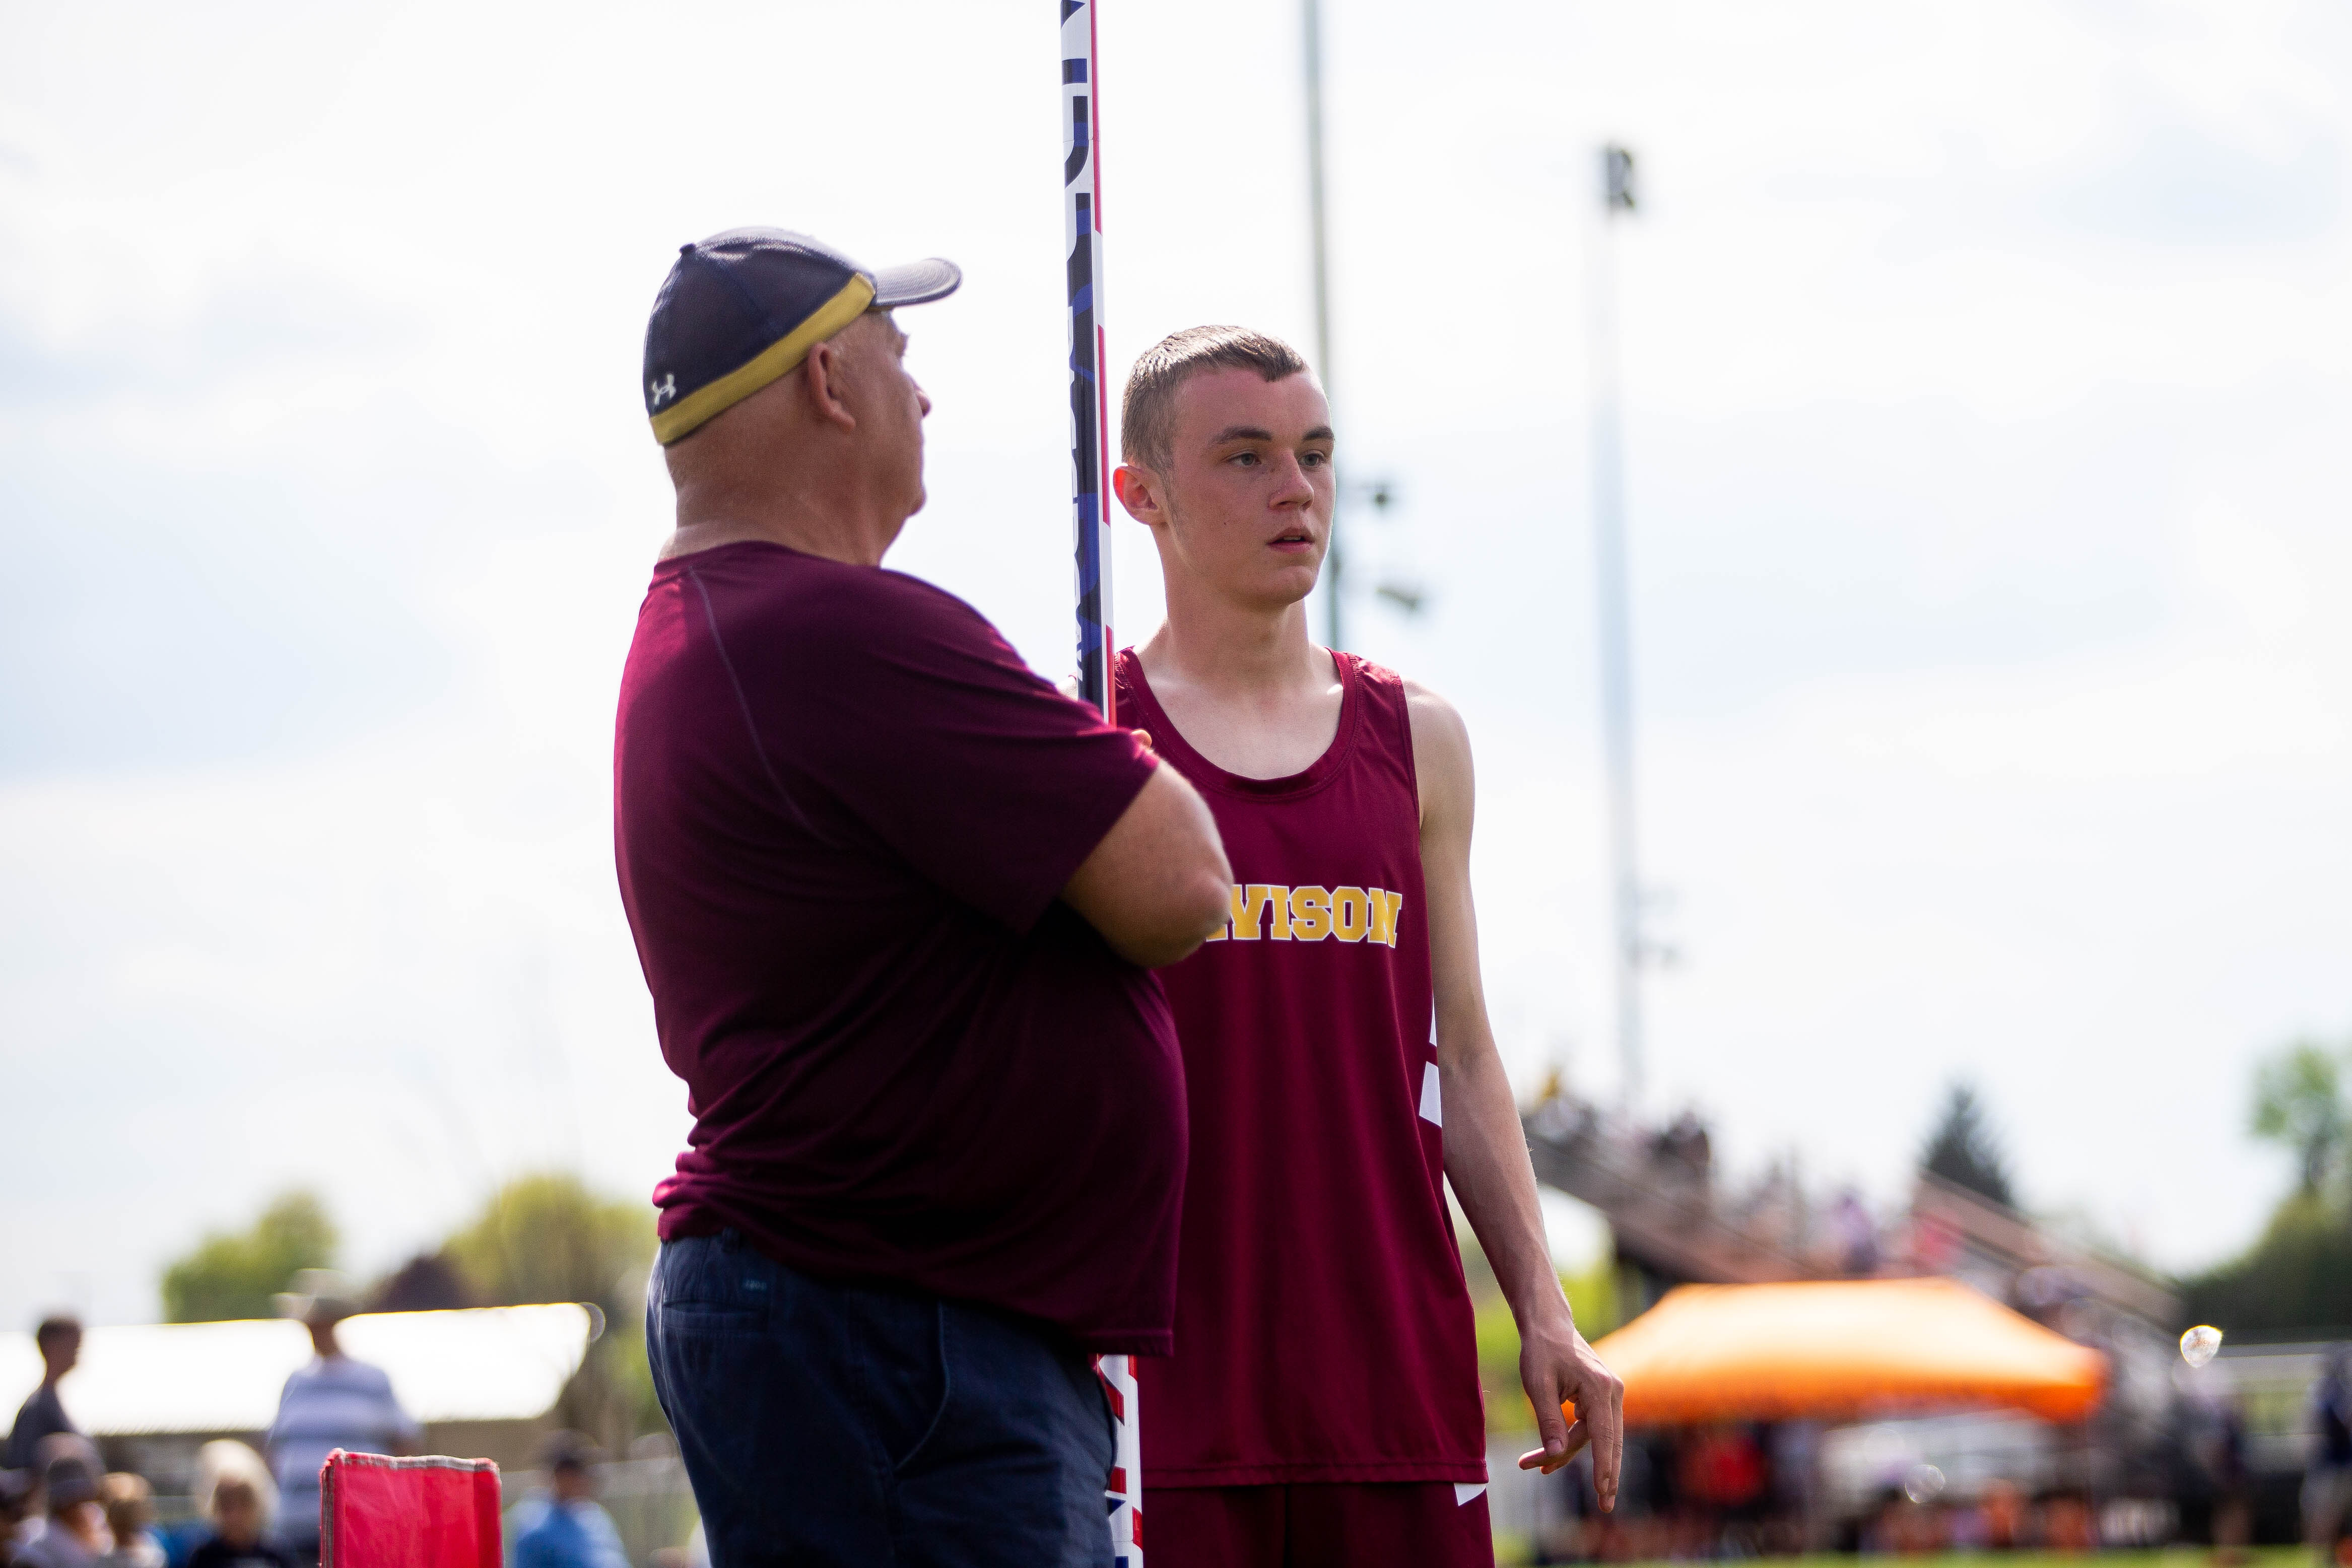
(1405, 1525)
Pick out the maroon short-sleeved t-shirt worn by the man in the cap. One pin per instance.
(843, 812)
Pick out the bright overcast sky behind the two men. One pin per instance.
(1989, 497)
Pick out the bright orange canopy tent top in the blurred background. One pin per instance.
(1836, 1351)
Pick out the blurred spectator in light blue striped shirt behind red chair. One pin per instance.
(330, 1405)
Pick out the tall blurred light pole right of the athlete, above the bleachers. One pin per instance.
(1615, 617)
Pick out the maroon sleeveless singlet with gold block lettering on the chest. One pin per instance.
(1323, 1325)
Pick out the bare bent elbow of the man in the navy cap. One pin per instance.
(1158, 883)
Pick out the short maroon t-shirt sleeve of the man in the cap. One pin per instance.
(942, 742)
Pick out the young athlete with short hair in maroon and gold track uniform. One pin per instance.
(1323, 1402)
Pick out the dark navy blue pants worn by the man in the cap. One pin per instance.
(864, 1428)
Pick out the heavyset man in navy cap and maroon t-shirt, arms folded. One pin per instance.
(897, 902)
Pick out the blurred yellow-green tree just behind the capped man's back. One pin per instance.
(552, 1240)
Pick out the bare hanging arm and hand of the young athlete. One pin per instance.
(1485, 1144)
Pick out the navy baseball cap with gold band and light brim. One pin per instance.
(742, 309)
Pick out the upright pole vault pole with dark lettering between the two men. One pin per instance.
(1090, 507)
